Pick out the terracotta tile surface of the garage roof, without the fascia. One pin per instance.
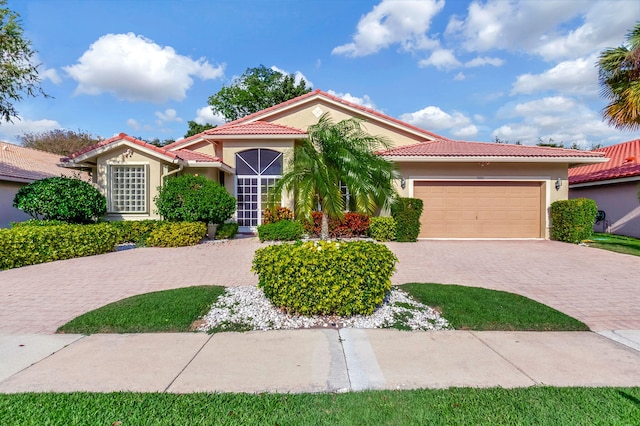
(449, 148)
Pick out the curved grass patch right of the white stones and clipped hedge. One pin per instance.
(471, 308)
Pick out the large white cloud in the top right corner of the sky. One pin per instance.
(546, 28)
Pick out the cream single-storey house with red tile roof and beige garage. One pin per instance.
(470, 189)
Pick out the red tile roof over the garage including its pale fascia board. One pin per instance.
(482, 151)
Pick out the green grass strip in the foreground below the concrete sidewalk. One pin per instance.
(456, 406)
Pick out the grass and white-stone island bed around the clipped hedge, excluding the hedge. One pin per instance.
(182, 310)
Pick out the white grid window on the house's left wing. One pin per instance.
(128, 189)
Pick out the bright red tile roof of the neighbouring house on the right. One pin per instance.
(624, 162)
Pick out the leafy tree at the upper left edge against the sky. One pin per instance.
(18, 74)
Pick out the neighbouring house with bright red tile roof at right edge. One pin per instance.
(615, 187)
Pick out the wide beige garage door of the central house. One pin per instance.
(479, 209)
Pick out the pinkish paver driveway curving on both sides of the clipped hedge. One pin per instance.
(598, 287)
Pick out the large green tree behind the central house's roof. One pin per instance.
(256, 89)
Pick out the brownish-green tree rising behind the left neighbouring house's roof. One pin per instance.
(59, 141)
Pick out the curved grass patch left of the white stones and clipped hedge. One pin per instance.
(162, 311)
